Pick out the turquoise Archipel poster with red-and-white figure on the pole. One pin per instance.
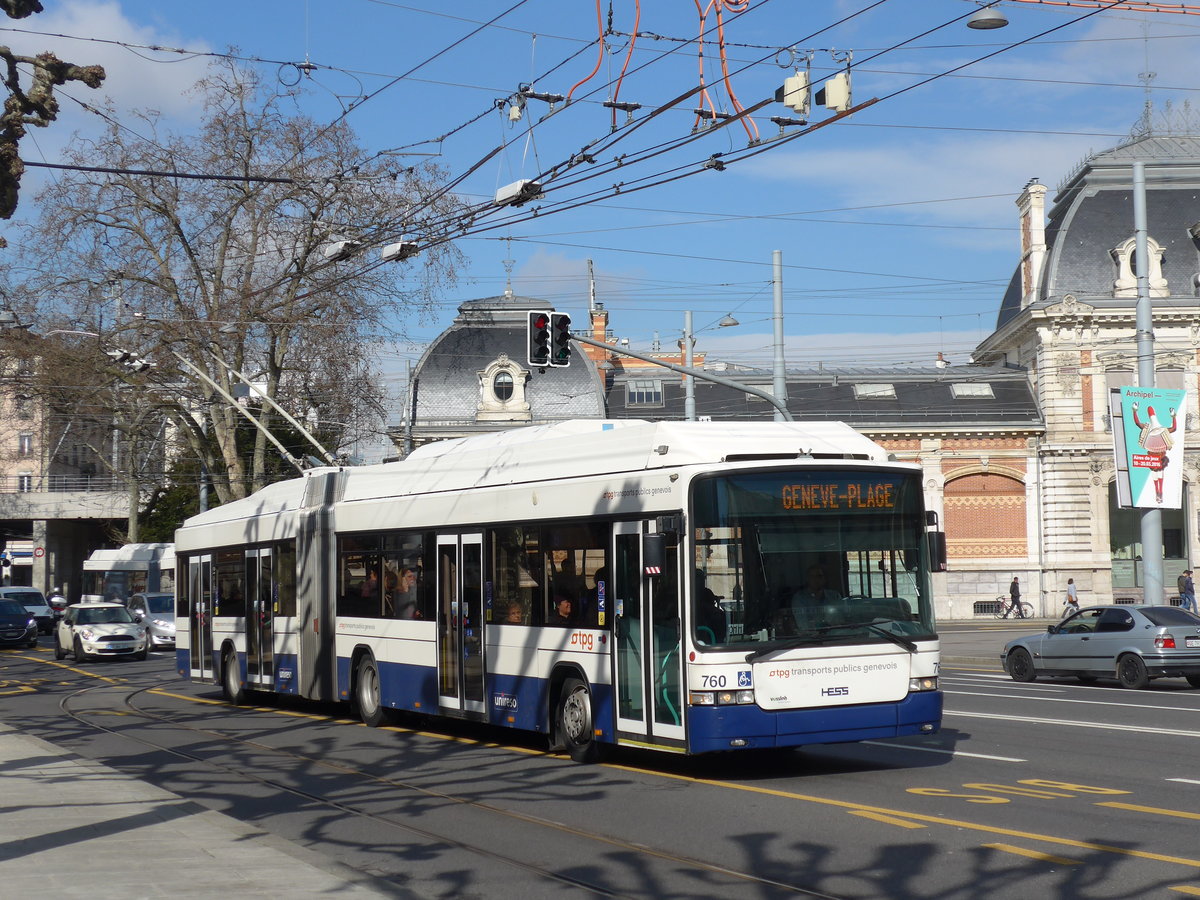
(1148, 442)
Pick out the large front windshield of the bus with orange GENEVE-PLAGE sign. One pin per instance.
(809, 557)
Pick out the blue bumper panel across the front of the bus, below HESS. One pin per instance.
(715, 728)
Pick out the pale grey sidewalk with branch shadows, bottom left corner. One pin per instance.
(73, 829)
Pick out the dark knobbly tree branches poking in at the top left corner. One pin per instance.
(35, 105)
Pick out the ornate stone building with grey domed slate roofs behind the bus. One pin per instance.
(1017, 447)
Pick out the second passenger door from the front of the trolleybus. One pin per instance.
(461, 622)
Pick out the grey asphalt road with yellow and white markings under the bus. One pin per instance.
(1049, 790)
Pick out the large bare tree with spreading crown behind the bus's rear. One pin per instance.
(236, 265)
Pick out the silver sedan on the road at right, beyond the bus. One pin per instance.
(1131, 644)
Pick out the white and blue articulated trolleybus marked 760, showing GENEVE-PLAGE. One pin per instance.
(683, 586)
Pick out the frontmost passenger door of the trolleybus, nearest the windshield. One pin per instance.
(649, 675)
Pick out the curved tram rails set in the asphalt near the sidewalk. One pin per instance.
(130, 707)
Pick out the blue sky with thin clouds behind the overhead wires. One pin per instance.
(898, 225)
